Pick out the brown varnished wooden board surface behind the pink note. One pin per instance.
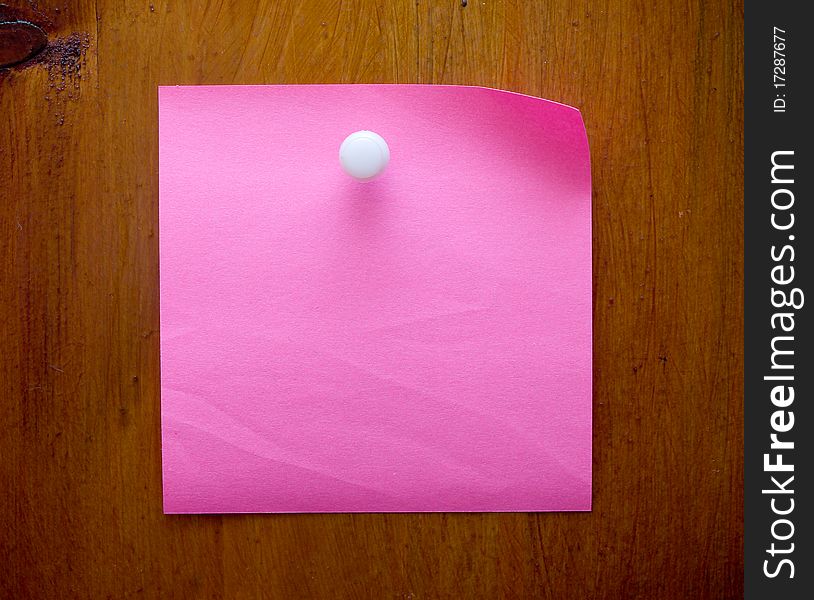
(660, 87)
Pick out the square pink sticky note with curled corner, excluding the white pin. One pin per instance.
(421, 342)
